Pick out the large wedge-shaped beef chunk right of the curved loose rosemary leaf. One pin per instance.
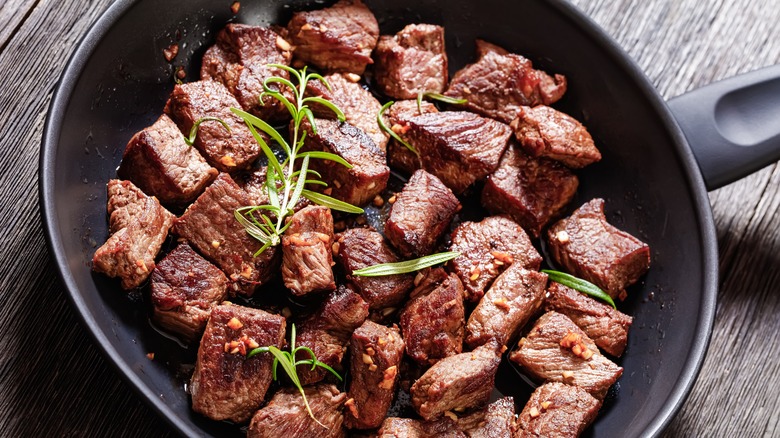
(457, 146)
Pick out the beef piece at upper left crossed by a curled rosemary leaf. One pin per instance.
(227, 151)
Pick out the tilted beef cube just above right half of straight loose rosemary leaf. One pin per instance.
(420, 215)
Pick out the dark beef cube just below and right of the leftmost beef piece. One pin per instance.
(185, 287)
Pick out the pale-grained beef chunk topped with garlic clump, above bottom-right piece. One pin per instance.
(557, 350)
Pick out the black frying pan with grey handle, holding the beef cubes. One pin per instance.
(117, 82)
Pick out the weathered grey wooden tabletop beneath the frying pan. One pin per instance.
(53, 382)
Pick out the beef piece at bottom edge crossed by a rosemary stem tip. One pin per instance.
(286, 416)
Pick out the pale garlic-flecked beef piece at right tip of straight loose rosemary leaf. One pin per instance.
(486, 249)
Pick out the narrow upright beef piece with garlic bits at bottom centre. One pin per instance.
(376, 352)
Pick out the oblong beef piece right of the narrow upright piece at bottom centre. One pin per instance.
(457, 382)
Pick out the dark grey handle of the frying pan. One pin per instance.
(733, 126)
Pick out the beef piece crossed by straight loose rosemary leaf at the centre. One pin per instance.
(358, 248)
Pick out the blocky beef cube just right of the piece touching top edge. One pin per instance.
(412, 61)
